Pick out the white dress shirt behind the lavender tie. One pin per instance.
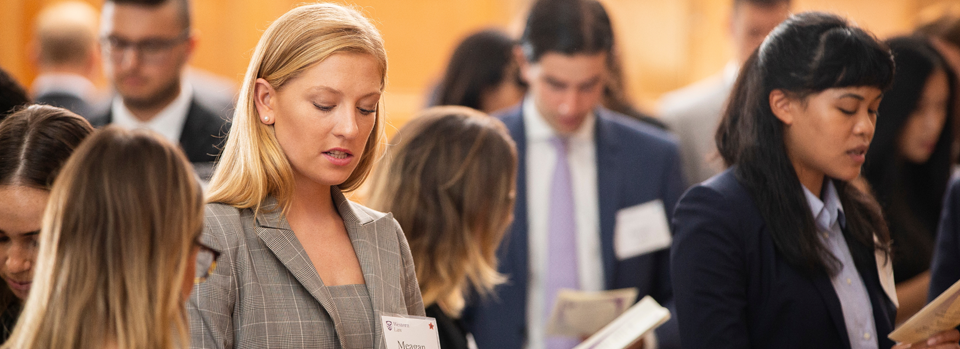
(541, 160)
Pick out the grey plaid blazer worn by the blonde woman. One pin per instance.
(265, 292)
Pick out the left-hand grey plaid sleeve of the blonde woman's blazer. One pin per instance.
(210, 307)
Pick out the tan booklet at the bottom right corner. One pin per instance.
(940, 315)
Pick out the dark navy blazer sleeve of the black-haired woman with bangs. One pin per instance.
(709, 272)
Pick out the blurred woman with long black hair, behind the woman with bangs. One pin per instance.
(910, 161)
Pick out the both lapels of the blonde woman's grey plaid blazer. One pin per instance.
(275, 232)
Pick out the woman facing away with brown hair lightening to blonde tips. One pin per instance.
(449, 182)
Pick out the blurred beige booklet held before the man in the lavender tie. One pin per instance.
(582, 313)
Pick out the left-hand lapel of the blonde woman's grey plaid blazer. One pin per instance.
(275, 232)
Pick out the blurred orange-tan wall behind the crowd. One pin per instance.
(665, 44)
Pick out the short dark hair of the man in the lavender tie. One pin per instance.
(568, 27)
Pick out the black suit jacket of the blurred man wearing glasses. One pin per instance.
(203, 132)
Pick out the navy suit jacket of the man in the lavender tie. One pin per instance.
(636, 163)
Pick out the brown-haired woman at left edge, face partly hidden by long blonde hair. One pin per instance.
(35, 142)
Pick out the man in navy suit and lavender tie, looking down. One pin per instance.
(594, 188)
